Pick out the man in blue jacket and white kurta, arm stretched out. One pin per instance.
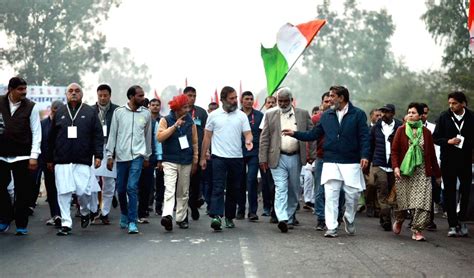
(346, 152)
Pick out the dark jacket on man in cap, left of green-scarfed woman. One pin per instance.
(377, 144)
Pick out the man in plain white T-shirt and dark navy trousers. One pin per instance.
(224, 129)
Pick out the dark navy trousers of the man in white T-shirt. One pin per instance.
(226, 175)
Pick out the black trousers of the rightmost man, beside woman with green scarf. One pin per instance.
(463, 172)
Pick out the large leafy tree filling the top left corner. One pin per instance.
(54, 42)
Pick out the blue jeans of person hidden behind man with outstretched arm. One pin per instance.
(319, 199)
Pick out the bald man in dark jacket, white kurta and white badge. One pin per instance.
(75, 141)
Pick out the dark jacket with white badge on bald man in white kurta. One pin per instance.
(89, 141)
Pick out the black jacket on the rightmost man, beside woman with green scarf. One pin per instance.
(445, 130)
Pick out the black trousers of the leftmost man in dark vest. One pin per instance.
(24, 184)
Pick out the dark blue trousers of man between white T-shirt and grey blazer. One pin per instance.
(249, 184)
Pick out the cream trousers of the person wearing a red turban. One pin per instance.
(182, 174)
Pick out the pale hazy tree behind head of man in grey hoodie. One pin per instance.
(121, 72)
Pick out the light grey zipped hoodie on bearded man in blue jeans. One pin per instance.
(130, 134)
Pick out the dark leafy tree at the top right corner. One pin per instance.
(446, 20)
